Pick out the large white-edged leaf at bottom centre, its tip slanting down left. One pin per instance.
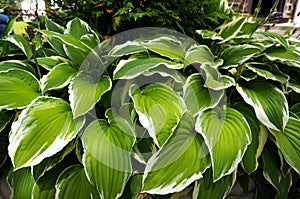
(179, 162)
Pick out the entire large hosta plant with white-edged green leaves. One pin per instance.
(150, 112)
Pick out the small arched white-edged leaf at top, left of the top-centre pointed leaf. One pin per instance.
(127, 48)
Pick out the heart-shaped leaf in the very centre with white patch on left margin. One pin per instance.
(159, 109)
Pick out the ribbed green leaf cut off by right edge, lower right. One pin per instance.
(288, 141)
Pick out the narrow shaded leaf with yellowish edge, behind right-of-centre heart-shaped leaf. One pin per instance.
(259, 137)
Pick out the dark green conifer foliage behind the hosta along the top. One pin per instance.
(110, 17)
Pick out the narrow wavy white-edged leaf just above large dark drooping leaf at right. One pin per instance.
(271, 72)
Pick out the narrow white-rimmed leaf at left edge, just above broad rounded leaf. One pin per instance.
(15, 64)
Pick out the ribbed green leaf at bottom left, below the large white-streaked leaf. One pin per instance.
(21, 182)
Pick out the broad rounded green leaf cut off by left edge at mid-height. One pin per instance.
(17, 88)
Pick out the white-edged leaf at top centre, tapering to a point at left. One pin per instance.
(166, 47)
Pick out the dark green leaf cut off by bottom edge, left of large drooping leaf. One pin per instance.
(73, 183)
